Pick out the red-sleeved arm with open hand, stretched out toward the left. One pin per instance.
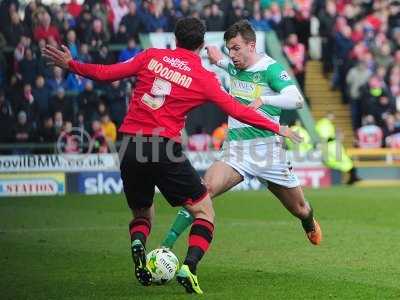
(63, 59)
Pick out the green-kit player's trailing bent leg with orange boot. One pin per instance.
(294, 201)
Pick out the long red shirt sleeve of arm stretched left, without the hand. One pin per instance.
(109, 72)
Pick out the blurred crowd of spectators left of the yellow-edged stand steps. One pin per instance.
(41, 103)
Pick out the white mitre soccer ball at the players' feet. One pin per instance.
(162, 264)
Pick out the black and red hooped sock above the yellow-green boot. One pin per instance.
(200, 237)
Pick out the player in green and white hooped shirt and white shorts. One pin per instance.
(259, 81)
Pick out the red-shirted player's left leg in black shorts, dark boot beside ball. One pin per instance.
(139, 191)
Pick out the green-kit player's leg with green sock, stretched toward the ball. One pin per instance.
(219, 178)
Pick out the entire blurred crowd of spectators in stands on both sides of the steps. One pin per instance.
(40, 103)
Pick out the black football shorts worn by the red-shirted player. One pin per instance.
(153, 161)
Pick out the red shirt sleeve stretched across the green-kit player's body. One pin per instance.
(238, 111)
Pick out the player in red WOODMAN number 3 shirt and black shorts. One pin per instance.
(169, 84)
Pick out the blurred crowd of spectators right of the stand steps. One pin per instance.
(364, 37)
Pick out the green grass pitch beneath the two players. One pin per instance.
(77, 247)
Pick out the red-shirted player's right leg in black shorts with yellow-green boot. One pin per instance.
(182, 186)
